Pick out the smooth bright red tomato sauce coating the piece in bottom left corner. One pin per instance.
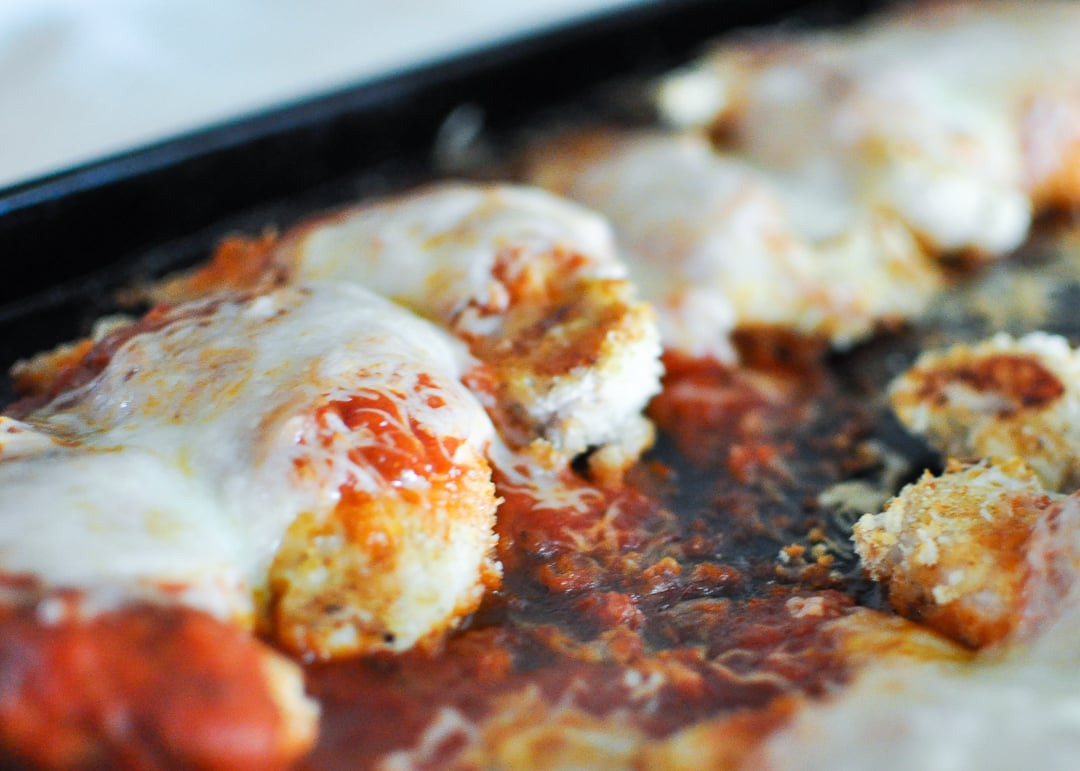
(136, 688)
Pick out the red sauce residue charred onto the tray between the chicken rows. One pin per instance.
(659, 605)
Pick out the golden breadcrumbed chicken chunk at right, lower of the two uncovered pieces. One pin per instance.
(956, 551)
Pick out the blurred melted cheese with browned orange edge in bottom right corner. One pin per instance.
(940, 709)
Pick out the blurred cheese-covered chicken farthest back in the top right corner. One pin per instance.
(964, 118)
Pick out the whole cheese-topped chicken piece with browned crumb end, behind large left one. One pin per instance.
(531, 283)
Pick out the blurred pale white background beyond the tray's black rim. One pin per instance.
(83, 79)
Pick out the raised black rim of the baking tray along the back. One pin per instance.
(70, 240)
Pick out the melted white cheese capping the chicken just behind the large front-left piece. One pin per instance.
(437, 251)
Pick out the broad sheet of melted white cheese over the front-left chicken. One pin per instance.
(175, 475)
